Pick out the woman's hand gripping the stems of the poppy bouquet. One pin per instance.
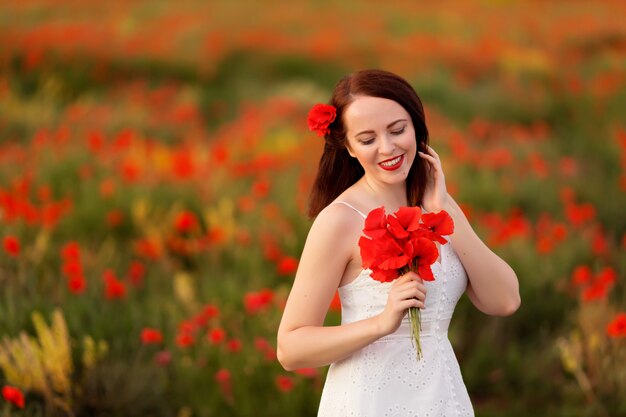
(406, 291)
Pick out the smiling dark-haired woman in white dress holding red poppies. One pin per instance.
(376, 154)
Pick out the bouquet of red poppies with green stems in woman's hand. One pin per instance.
(395, 244)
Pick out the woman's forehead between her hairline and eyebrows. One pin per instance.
(371, 113)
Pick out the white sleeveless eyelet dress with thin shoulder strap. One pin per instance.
(385, 379)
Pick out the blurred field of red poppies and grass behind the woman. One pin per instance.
(155, 166)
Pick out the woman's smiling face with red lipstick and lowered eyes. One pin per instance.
(380, 135)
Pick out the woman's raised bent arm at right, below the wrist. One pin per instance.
(493, 286)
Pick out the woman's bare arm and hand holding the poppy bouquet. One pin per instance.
(303, 340)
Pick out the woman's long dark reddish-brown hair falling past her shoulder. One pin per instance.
(337, 169)
